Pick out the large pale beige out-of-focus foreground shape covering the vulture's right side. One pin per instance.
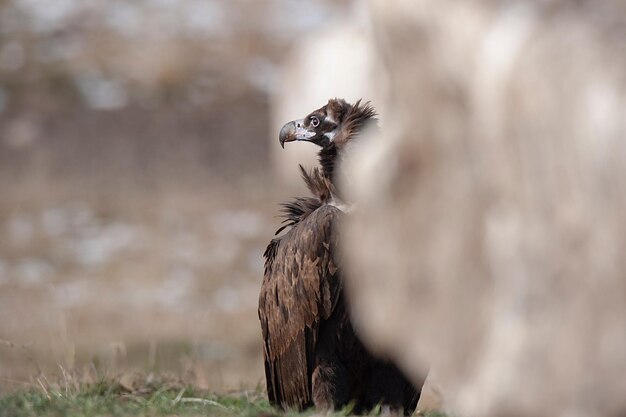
(489, 235)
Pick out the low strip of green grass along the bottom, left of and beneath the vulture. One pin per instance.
(139, 396)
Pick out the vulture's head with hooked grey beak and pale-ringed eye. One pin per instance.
(319, 127)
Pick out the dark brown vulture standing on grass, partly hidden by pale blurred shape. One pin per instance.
(313, 355)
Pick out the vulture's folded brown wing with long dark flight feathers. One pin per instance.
(300, 288)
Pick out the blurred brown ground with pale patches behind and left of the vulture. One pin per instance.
(136, 185)
